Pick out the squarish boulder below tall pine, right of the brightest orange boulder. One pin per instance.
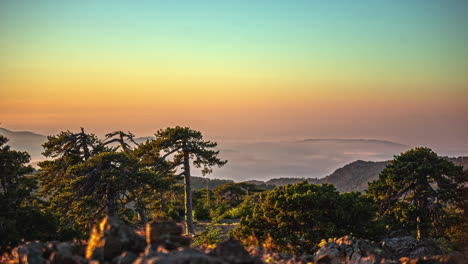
(166, 234)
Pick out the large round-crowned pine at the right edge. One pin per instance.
(423, 193)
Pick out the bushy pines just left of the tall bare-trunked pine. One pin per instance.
(88, 178)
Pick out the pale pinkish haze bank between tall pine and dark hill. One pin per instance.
(299, 159)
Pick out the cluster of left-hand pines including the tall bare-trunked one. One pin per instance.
(88, 178)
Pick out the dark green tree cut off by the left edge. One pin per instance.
(20, 217)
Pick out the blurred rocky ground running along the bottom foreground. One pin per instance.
(115, 243)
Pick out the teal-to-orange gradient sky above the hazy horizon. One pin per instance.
(239, 70)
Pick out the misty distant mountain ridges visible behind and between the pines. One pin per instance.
(300, 159)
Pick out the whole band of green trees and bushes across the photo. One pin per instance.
(86, 178)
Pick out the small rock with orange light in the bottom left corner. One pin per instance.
(30, 253)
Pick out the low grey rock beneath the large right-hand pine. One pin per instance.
(408, 246)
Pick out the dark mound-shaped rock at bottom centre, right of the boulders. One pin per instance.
(232, 251)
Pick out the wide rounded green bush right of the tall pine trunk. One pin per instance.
(294, 218)
